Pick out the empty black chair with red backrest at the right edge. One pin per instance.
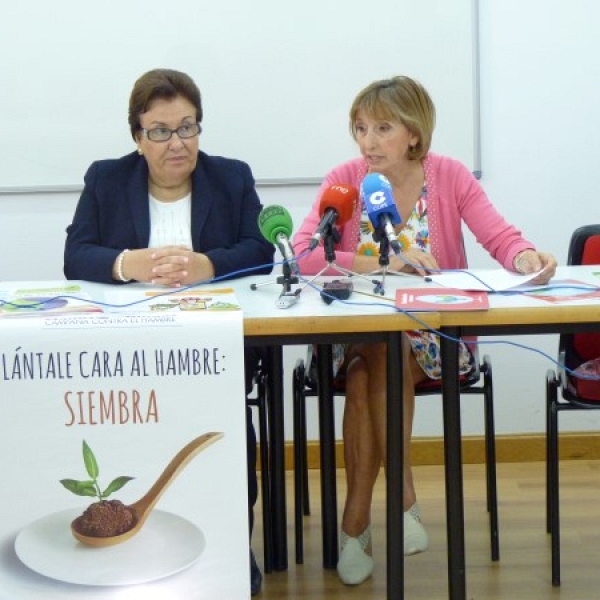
(575, 394)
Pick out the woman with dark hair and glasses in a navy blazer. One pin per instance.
(170, 214)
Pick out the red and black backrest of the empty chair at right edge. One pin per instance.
(584, 249)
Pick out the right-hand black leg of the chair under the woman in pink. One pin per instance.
(490, 458)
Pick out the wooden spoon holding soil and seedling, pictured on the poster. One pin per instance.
(143, 507)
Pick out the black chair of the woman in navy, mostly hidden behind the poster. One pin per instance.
(258, 398)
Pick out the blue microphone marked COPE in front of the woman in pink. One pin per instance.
(378, 198)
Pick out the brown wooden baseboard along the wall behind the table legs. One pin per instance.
(509, 448)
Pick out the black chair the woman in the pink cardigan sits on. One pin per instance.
(478, 381)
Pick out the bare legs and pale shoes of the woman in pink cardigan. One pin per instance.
(365, 449)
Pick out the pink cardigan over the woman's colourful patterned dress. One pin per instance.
(453, 196)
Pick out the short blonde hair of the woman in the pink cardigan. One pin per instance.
(399, 99)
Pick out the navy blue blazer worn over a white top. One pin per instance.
(113, 213)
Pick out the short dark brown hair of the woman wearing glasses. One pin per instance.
(165, 84)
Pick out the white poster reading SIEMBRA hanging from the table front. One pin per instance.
(94, 406)
